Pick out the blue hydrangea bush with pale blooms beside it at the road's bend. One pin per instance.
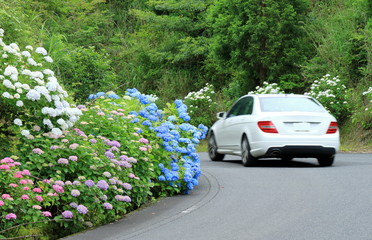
(172, 159)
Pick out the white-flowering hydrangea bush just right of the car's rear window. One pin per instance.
(331, 92)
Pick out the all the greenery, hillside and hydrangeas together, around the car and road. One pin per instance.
(103, 102)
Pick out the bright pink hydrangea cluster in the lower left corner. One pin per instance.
(22, 197)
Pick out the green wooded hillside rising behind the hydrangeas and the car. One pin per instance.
(170, 48)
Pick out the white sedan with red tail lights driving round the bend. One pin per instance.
(275, 126)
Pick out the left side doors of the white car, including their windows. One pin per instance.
(233, 125)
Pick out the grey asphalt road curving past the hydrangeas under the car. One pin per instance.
(273, 201)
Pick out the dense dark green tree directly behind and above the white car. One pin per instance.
(254, 41)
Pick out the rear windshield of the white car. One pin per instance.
(289, 104)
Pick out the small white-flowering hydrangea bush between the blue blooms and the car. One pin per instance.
(202, 105)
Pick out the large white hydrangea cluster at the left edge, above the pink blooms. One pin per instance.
(33, 91)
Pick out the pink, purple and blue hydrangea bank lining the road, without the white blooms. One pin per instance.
(122, 152)
